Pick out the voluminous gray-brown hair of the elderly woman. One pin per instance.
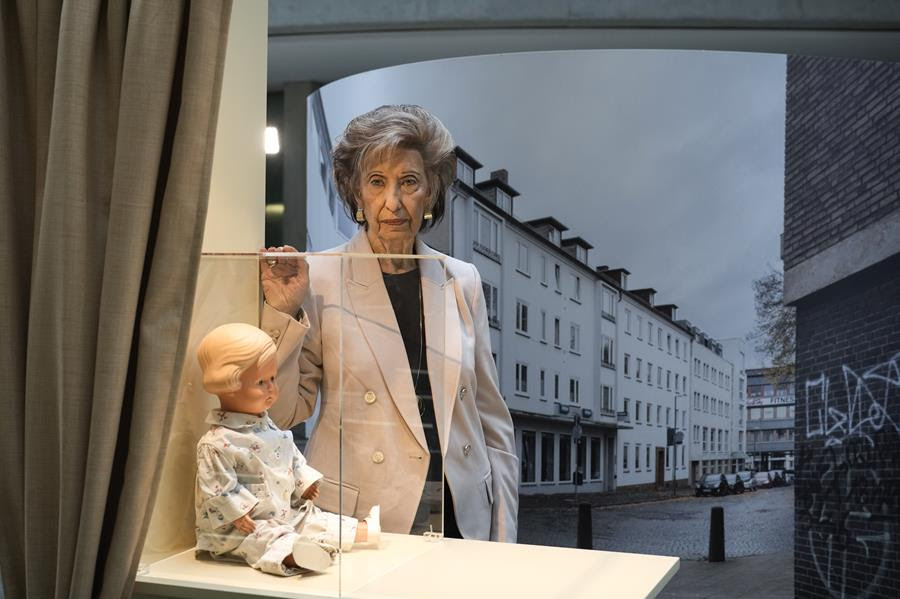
(381, 131)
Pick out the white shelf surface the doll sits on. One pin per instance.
(411, 567)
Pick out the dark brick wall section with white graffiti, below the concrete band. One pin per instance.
(847, 497)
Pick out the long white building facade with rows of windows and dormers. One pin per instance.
(594, 373)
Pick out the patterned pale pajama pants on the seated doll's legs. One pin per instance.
(273, 540)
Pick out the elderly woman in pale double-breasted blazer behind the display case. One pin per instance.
(404, 344)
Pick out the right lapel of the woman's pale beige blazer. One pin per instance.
(442, 335)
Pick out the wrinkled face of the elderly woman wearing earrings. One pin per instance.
(394, 195)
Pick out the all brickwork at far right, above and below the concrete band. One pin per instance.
(842, 174)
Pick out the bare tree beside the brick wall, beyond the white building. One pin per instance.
(775, 332)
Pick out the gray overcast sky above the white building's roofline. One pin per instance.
(671, 163)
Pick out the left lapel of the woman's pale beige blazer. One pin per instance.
(375, 315)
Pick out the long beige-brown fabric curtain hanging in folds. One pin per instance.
(107, 123)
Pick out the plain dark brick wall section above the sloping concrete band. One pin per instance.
(842, 150)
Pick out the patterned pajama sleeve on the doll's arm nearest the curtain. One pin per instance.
(224, 500)
